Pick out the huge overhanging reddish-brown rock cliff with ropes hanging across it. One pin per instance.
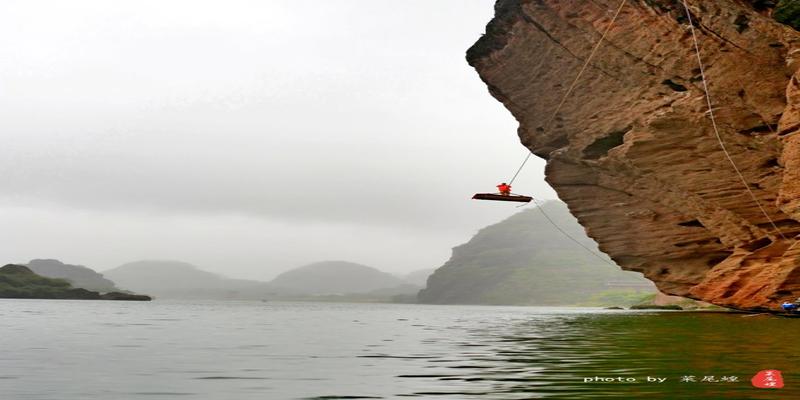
(632, 151)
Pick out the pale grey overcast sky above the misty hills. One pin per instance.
(248, 137)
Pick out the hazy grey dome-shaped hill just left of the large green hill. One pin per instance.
(335, 277)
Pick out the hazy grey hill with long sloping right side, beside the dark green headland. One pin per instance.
(174, 279)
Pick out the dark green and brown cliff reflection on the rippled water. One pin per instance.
(552, 357)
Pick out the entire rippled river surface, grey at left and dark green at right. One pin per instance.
(252, 350)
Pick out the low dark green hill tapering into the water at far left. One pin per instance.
(20, 282)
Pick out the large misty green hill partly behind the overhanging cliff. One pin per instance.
(525, 260)
